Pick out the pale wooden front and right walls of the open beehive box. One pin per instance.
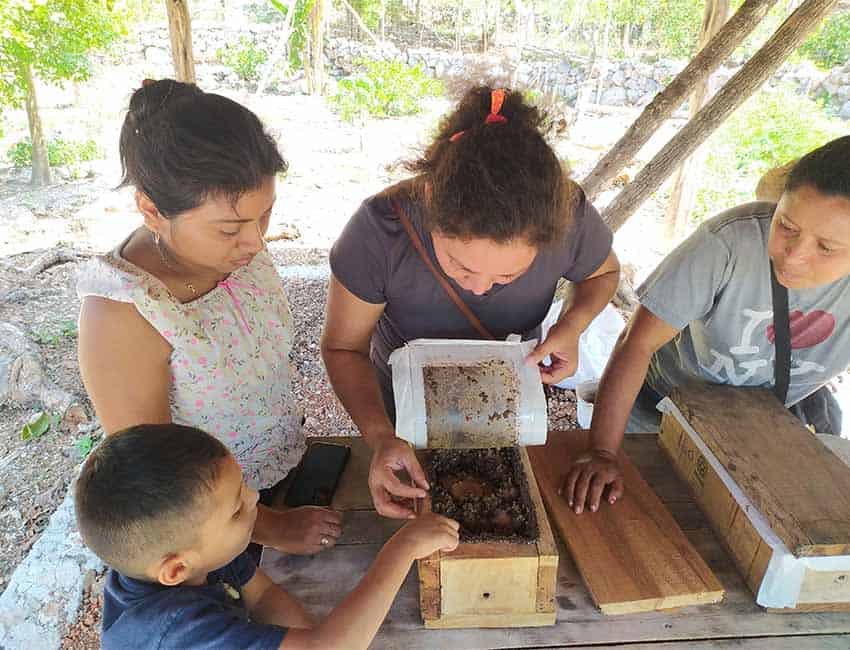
(493, 584)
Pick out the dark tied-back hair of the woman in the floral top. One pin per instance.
(180, 146)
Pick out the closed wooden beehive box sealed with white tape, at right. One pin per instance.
(777, 498)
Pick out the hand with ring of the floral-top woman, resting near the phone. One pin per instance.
(299, 531)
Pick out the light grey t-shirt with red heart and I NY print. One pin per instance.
(715, 288)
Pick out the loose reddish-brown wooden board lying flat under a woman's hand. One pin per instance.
(632, 556)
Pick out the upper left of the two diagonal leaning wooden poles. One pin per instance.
(700, 67)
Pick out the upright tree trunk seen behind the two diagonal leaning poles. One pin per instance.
(684, 185)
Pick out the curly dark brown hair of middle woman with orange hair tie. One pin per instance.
(498, 180)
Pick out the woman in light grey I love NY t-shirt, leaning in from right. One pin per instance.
(706, 312)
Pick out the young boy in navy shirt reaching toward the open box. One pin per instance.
(165, 507)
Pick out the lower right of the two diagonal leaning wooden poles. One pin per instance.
(749, 78)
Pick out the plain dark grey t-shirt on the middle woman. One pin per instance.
(375, 260)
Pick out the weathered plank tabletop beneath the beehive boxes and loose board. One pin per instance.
(322, 580)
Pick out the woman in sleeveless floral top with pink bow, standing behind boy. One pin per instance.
(186, 320)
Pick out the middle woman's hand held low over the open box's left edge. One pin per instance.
(389, 456)
